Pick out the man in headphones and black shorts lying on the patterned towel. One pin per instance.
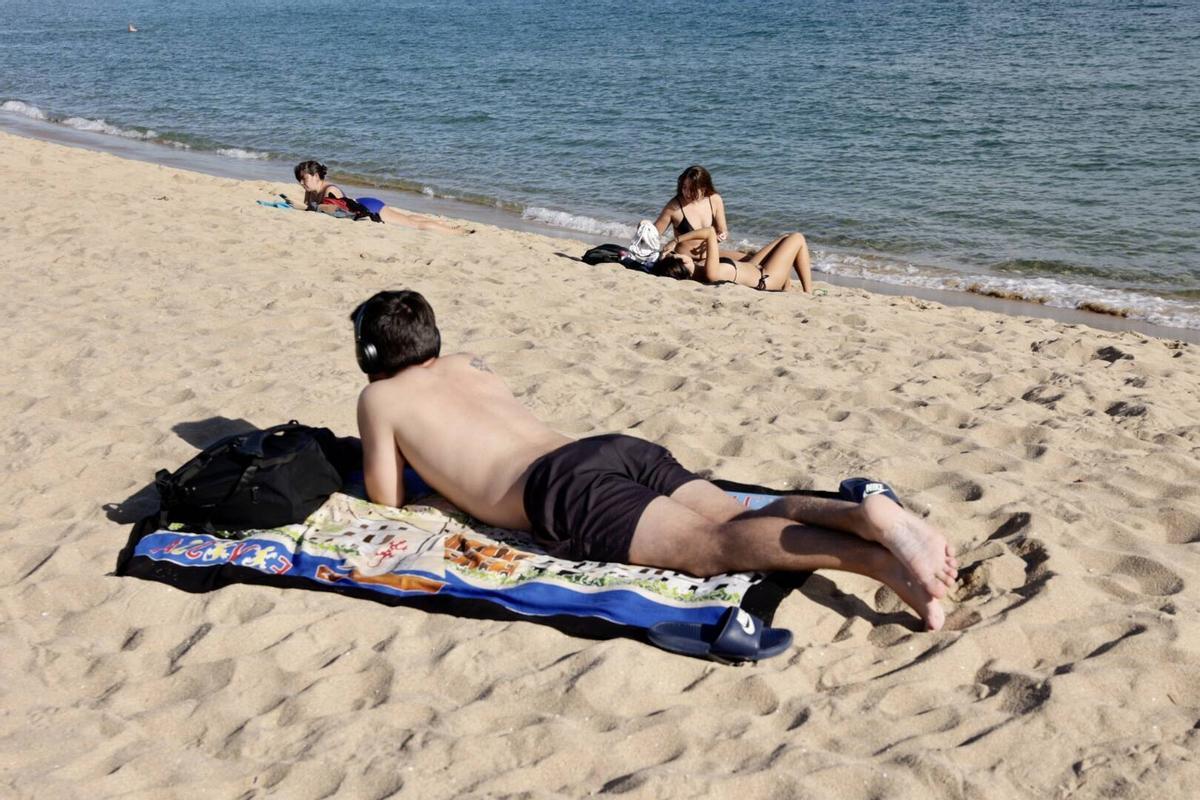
(609, 498)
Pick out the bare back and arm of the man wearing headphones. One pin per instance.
(459, 426)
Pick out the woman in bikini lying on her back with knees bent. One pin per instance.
(697, 256)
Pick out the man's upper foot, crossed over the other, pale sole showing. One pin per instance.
(919, 546)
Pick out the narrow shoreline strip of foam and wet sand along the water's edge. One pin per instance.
(269, 170)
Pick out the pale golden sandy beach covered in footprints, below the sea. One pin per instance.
(149, 308)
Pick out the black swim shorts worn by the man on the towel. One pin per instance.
(585, 500)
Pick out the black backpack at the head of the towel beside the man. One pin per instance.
(263, 479)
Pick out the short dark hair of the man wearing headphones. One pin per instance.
(403, 329)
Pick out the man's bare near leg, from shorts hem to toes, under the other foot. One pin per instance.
(673, 537)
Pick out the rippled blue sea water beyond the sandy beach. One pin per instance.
(1030, 149)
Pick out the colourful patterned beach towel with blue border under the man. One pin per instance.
(430, 555)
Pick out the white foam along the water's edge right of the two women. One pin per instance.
(1048, 292)
